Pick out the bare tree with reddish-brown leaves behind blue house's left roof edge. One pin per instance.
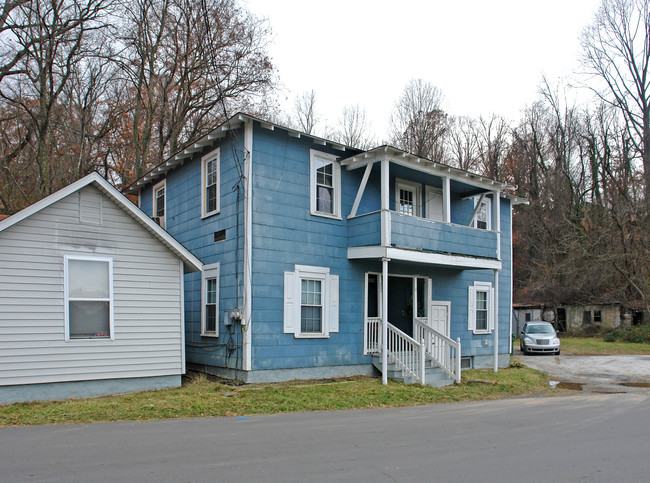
(189, 62)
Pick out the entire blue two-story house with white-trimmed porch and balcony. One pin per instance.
(321, 259)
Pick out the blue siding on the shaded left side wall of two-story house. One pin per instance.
(183, 221)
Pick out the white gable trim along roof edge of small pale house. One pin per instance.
(192, 264)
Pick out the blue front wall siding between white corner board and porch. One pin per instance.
(286, 234)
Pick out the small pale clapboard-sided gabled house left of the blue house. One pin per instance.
(91, 297)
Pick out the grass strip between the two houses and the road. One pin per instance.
(201, 397)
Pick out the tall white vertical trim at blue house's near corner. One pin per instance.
(248, 239)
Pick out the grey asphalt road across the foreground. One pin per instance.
(587, 437)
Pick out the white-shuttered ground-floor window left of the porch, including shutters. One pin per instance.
(311, 302)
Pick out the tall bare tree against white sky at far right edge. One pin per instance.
(617, 52)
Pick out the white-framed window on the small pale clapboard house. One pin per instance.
(88, 297)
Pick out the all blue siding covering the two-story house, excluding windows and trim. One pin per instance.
(286, 234)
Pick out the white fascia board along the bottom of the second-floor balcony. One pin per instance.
(423, 257)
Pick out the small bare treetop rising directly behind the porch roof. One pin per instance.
(418, 123)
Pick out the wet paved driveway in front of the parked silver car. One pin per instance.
(595, 372)
